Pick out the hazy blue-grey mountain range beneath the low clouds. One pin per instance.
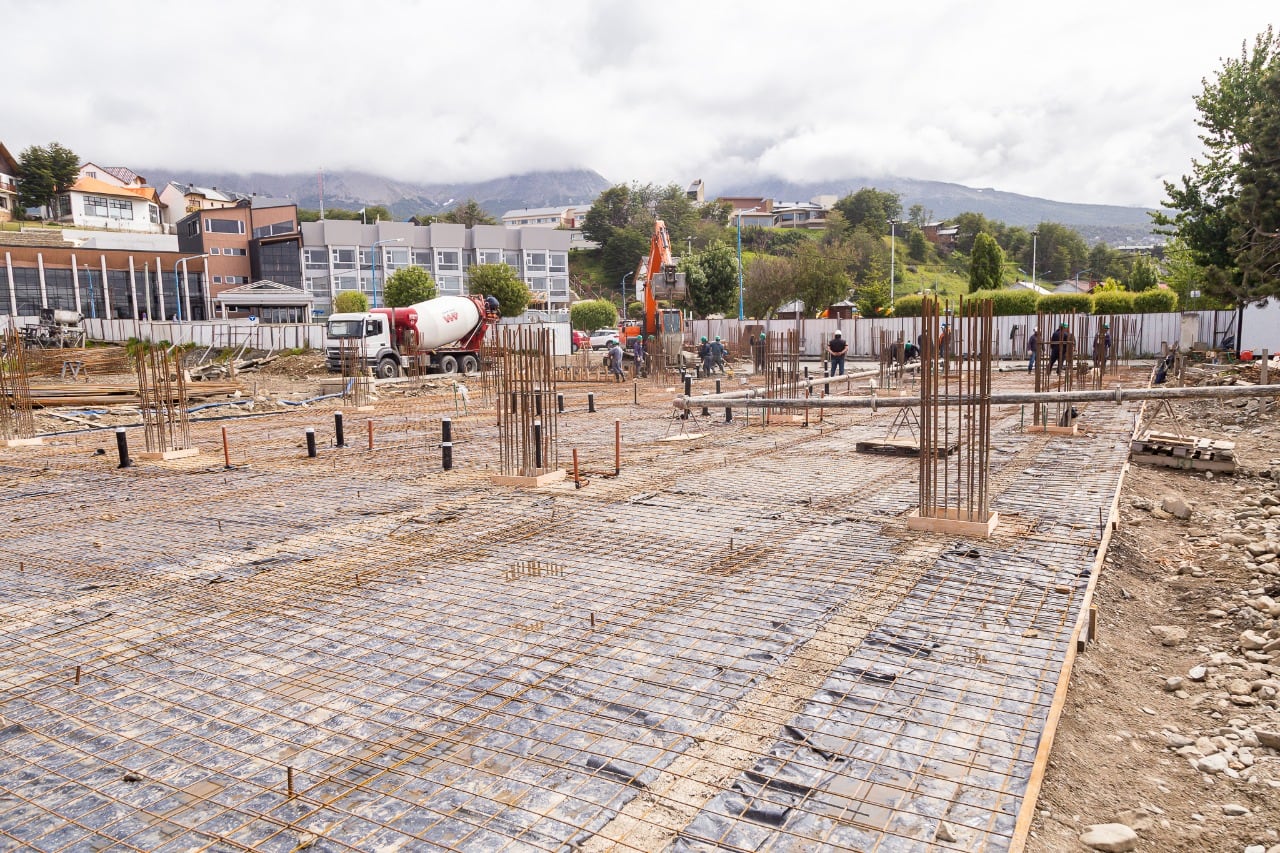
(355, 190)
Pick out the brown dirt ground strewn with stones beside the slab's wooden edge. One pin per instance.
(1172, 722)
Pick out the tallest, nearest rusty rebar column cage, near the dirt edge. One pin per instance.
(956, 413)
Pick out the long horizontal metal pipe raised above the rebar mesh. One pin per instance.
(1116, 395)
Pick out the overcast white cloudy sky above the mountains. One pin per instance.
(1086, 102)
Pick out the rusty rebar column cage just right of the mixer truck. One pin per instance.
(528, 427)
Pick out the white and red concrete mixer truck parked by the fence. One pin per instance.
(441, 336)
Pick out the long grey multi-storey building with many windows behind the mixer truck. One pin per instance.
(345, 256)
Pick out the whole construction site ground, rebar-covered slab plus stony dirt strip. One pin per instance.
(732, 644)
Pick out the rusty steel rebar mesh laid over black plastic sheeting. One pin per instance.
(715, 649)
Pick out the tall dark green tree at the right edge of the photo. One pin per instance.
(1208, 218)
